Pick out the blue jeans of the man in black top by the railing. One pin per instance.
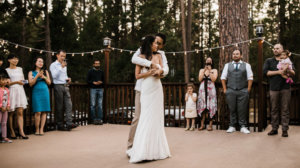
(96, 98)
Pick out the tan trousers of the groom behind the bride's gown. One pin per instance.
(135, 120)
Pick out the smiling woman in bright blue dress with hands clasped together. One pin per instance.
(39, 79)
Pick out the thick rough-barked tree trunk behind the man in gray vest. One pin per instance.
(233, 22)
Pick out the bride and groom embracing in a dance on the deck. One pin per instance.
(147, 139)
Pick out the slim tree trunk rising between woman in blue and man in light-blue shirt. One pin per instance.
(47, 35)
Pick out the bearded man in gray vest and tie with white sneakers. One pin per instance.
(239, 77)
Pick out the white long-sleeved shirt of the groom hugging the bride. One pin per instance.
(146, 63)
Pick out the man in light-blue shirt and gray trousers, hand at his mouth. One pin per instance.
(62, 95)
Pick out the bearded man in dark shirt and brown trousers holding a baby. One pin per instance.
(280, 93)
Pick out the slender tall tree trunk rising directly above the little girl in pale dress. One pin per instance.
(186, 71)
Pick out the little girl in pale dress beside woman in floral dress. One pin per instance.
(190, 107)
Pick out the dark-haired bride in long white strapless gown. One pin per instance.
(150, 142)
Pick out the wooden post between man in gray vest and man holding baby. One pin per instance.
(261, 100)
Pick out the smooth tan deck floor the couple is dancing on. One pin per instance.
(104, 147)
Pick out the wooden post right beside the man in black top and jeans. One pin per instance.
(106, 81)
